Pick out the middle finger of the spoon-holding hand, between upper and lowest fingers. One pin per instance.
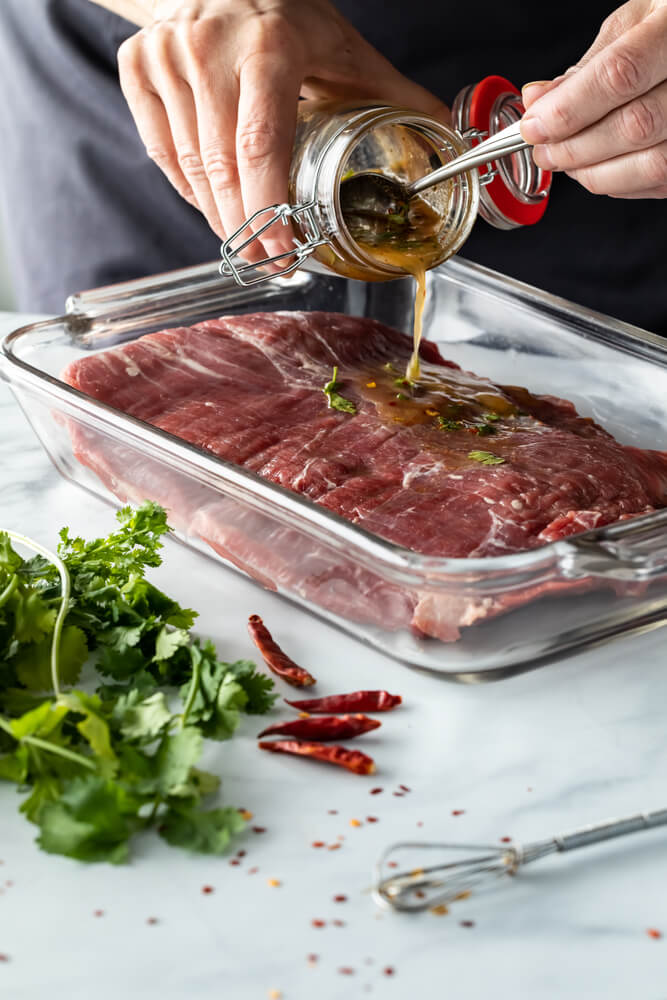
(638, 125)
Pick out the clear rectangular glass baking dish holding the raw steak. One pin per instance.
(514, 612)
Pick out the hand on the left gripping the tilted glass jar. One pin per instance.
(213, 88)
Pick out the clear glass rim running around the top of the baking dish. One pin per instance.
(416, 567)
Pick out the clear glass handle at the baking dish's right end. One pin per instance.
(633, 550)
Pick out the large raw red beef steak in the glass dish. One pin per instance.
(454, 466)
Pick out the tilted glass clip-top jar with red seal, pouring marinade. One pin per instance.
(335, 140)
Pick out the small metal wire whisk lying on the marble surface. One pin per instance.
(405, 880)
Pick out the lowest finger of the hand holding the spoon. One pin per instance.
(630, 174)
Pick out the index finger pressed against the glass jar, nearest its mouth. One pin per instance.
(269, 94)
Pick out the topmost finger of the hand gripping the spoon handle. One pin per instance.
(622, 71)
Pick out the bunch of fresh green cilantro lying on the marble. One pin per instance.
(103, 763)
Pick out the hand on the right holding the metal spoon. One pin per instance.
(604, 122)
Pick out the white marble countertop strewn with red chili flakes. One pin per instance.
(542, 753)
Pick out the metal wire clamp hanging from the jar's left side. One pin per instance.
(245, 273)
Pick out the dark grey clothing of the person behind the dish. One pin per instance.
(83, 205)
